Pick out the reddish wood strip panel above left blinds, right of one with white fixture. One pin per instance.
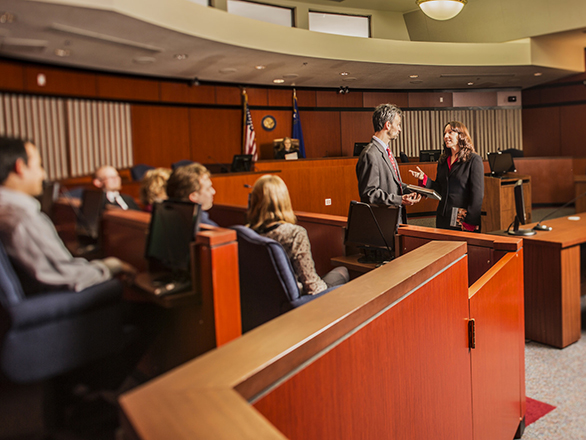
(133, 89)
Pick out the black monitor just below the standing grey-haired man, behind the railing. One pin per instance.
(372, 228)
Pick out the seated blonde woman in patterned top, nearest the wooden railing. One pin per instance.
(271, 215)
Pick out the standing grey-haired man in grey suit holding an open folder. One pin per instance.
(379, 179)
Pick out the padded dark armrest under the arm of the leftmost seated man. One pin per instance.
(55, 306)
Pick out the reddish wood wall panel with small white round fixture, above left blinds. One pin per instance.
(60, 82)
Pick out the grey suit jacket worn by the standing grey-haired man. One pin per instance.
(377, 181)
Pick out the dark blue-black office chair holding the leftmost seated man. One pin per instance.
(45, 336)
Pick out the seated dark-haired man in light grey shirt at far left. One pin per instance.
(29, 236)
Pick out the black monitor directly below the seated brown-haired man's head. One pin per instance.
(171, 231)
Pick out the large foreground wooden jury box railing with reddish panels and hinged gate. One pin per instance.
(388, 355)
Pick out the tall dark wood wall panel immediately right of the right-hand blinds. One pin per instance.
(541, 132)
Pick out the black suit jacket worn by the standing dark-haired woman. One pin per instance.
(461, 187)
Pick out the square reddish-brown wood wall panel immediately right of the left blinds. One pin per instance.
(160, 134)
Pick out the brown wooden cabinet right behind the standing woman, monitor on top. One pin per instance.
(499, 201)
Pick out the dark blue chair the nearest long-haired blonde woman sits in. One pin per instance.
(268, 286)
